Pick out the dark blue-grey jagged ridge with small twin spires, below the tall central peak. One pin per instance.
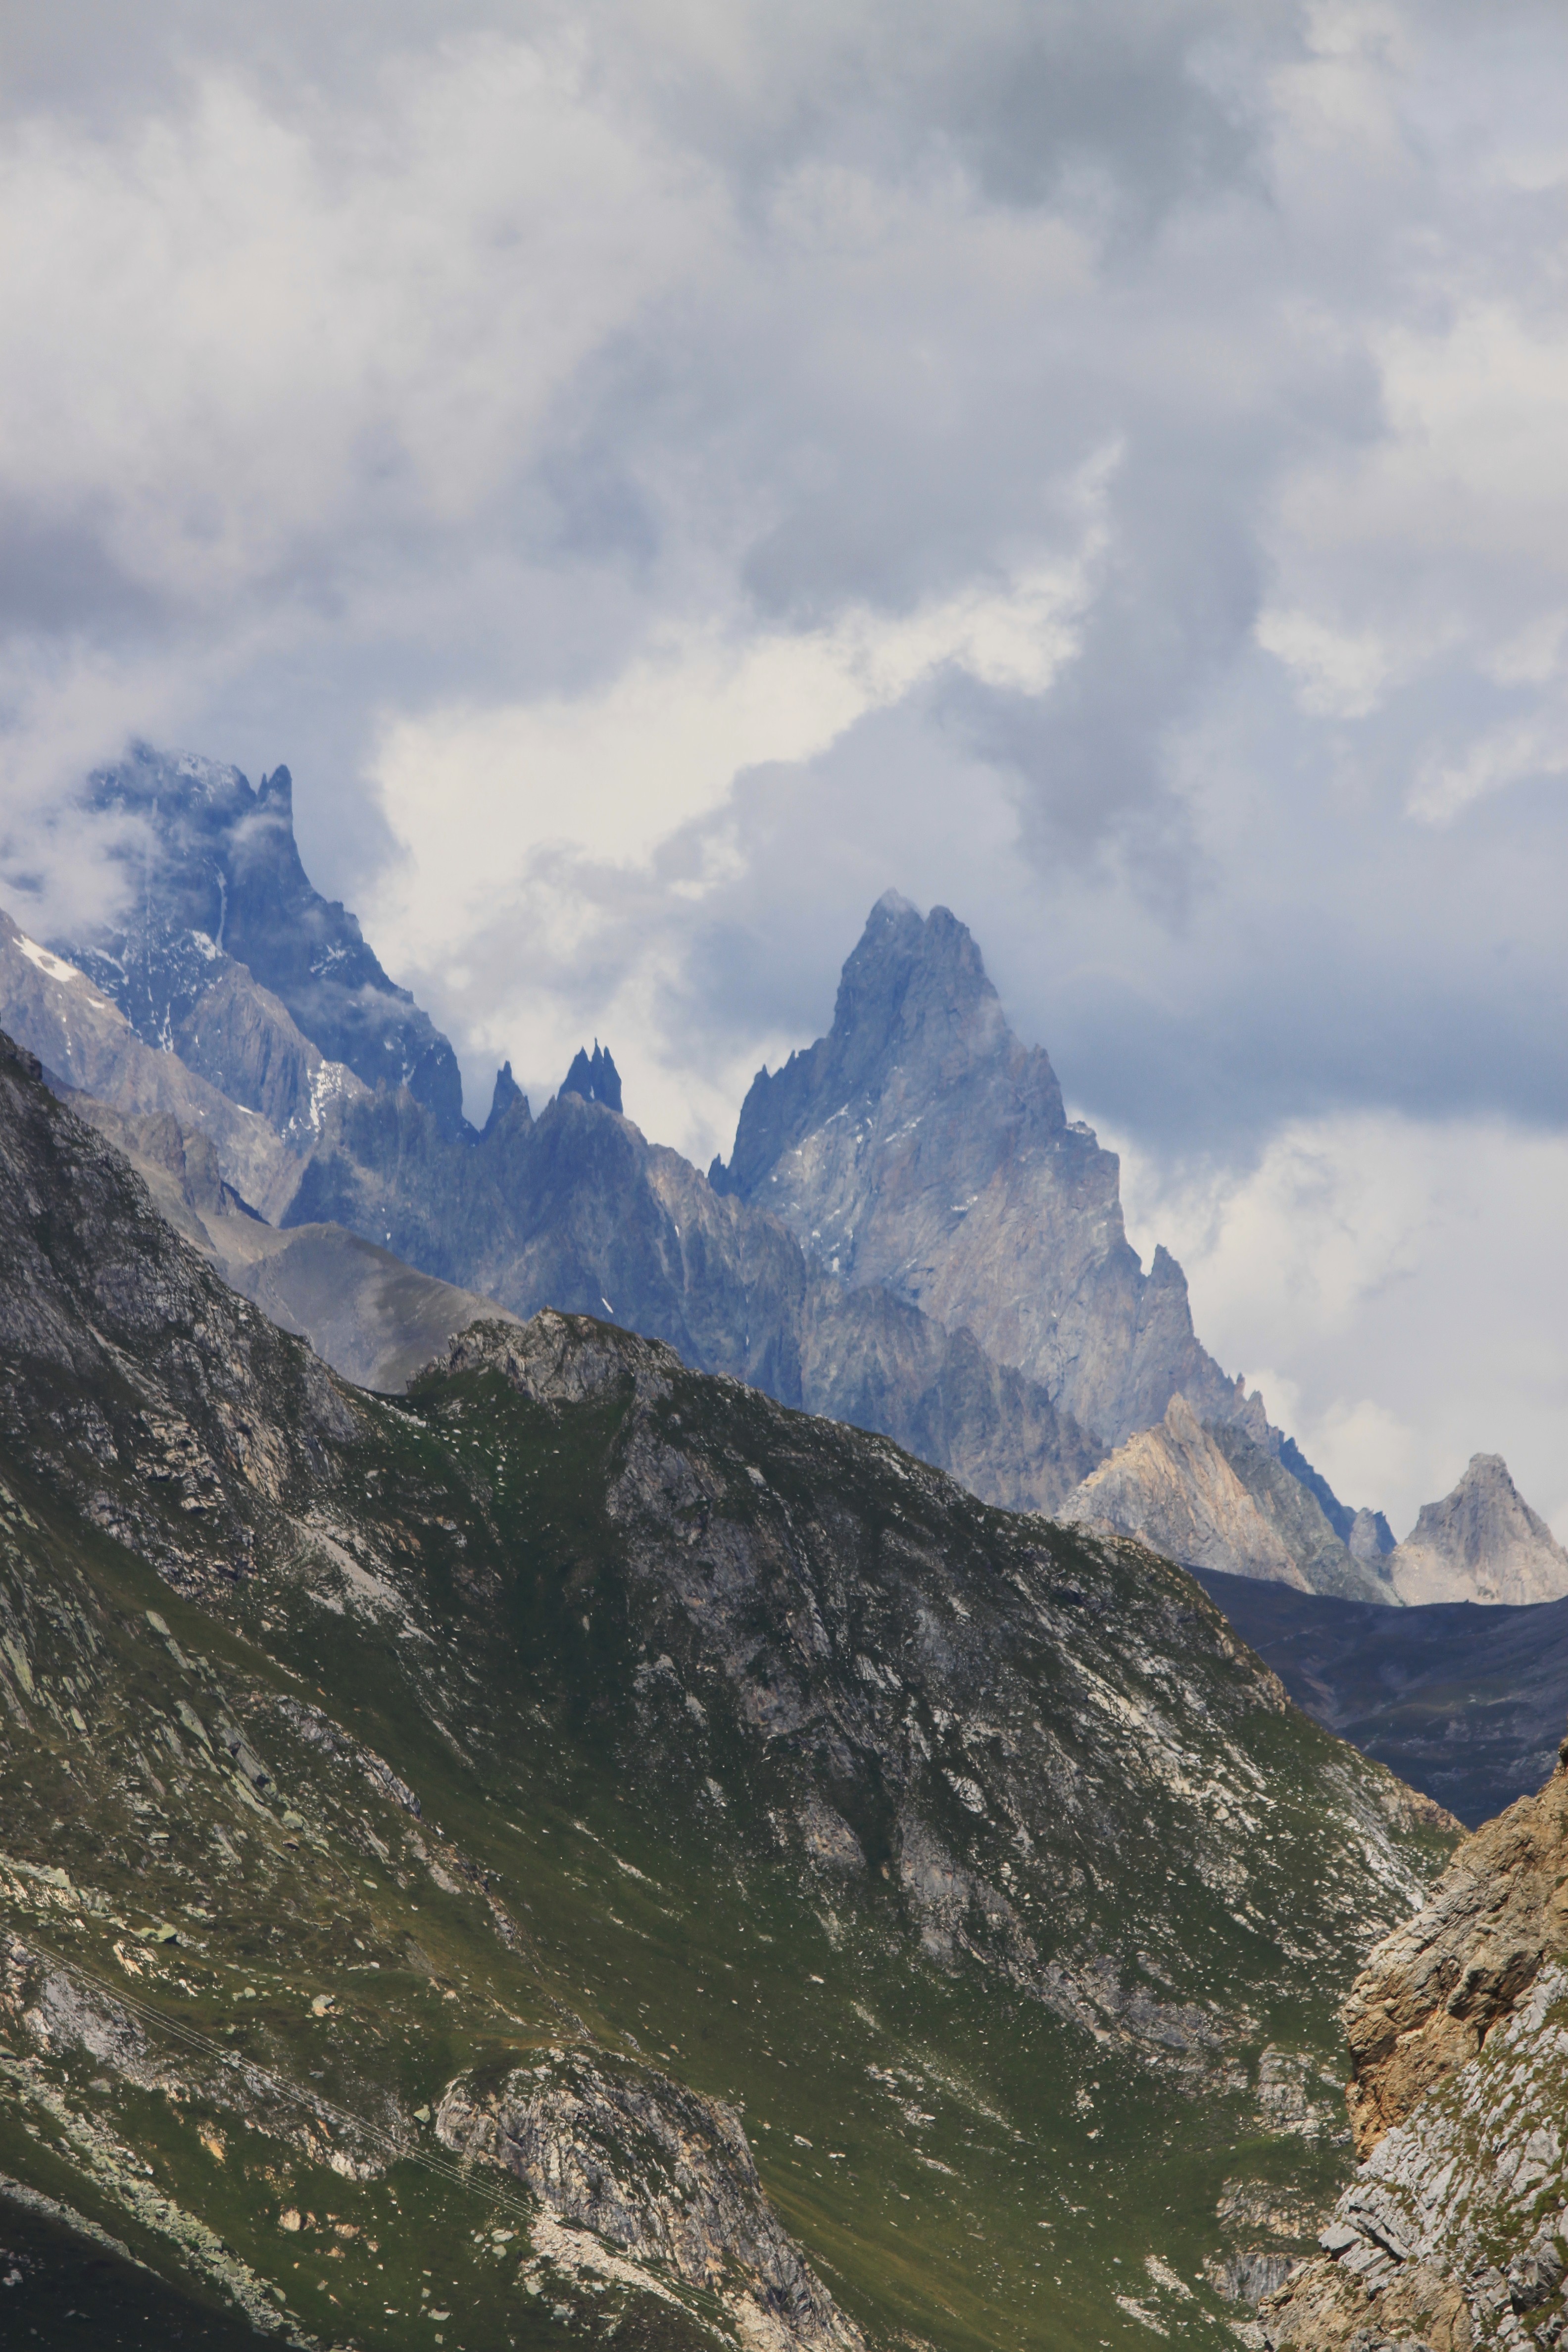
(577, 1210)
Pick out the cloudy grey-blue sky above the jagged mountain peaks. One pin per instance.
(662, 474)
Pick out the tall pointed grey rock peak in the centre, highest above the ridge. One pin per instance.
(920, 1144)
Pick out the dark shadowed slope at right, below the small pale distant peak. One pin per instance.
(1456, 1699)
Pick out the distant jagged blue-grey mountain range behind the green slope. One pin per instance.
(909, 1234)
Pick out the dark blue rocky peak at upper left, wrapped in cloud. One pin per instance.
(217, 883)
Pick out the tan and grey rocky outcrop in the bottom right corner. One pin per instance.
(1456, 2226)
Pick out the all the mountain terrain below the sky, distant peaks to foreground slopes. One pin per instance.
(530, 1817)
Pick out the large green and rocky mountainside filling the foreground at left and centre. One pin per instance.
(589, 1847)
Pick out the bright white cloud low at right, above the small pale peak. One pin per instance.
(1369, 1276)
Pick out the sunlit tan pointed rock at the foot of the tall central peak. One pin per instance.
(1217, 1499)
